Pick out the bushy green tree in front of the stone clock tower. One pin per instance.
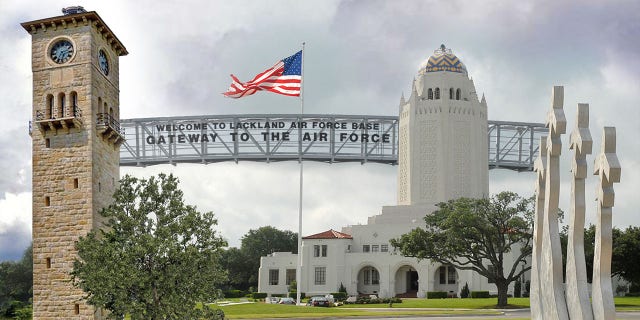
(155, 258)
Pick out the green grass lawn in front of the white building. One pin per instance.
(407, 307)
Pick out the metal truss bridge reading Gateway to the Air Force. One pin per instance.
(281, 137)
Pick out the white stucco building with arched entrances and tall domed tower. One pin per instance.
(442, 156)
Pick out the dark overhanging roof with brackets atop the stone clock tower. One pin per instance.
(73, 19)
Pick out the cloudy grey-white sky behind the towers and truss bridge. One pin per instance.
(360, 57)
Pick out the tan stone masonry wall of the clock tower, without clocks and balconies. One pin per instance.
(75, 171)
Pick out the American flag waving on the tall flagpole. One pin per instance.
(283, 78)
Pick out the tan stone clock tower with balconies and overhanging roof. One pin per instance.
(76, 138)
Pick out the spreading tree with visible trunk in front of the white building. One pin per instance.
(472, 234)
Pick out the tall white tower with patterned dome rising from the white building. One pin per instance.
(442, 141)
